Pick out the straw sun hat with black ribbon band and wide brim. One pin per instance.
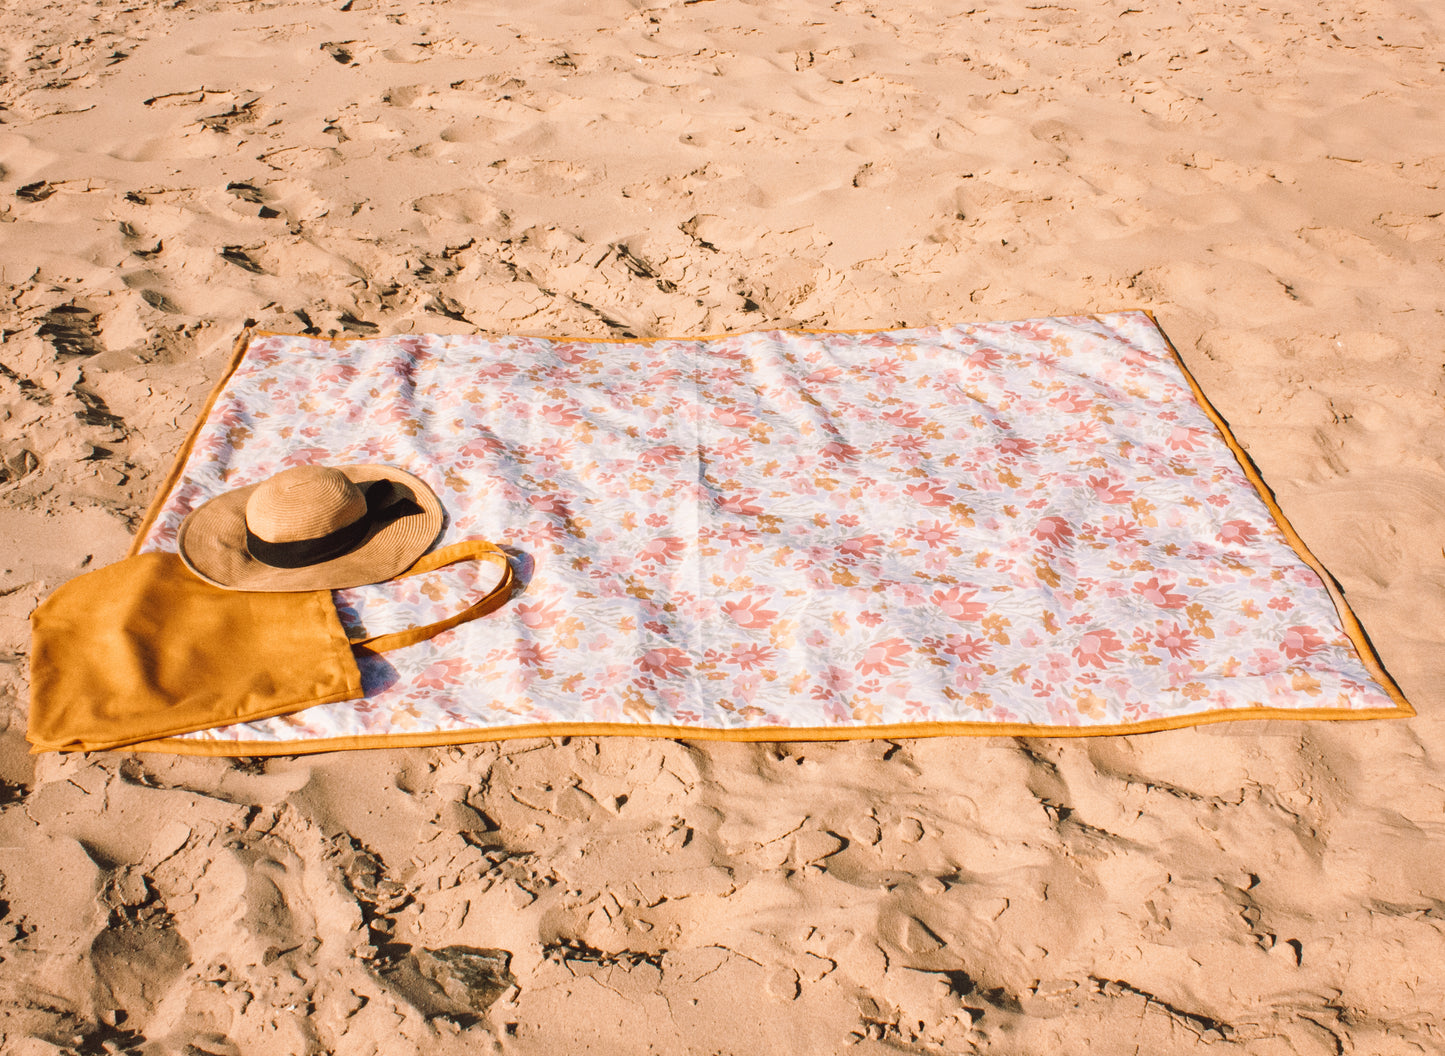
(313, 528)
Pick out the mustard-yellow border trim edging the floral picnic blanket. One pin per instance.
(441, 737)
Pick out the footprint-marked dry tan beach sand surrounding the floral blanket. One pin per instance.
(1265, 177)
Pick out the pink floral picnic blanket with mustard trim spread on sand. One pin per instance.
(1019, 528)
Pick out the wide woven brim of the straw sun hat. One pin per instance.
(213, 542)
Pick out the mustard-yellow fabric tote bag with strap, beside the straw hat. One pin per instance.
(145, 649)
